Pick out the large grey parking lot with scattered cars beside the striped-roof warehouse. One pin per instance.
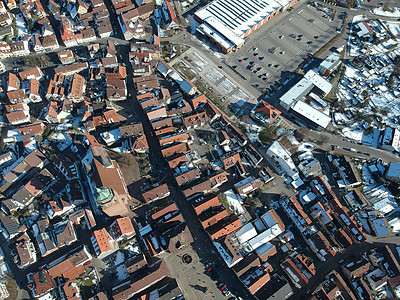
(282, 43)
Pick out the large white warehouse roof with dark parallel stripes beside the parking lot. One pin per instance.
(237, 16)
